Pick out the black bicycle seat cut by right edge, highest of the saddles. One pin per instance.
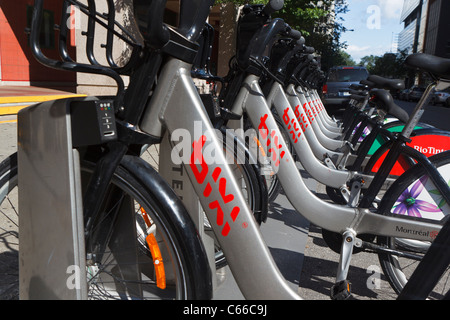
(439, 67)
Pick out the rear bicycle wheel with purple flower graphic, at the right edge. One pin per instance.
(396, 269)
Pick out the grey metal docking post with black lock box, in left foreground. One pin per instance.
(52, 258)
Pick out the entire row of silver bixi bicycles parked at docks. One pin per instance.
(386, 173)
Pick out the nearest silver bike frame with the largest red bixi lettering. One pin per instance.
(176, 104)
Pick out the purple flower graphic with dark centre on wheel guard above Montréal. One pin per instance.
(410, 205)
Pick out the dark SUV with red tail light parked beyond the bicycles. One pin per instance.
(336, 91)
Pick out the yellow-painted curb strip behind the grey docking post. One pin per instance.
(14, 98)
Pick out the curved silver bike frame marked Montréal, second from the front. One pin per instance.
(336, 218)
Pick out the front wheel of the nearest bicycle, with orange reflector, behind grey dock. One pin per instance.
(144, 247)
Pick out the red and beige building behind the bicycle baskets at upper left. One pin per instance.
(18, 67)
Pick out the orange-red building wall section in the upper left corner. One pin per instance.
(17, 65)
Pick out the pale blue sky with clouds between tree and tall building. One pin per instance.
(376, 24)
